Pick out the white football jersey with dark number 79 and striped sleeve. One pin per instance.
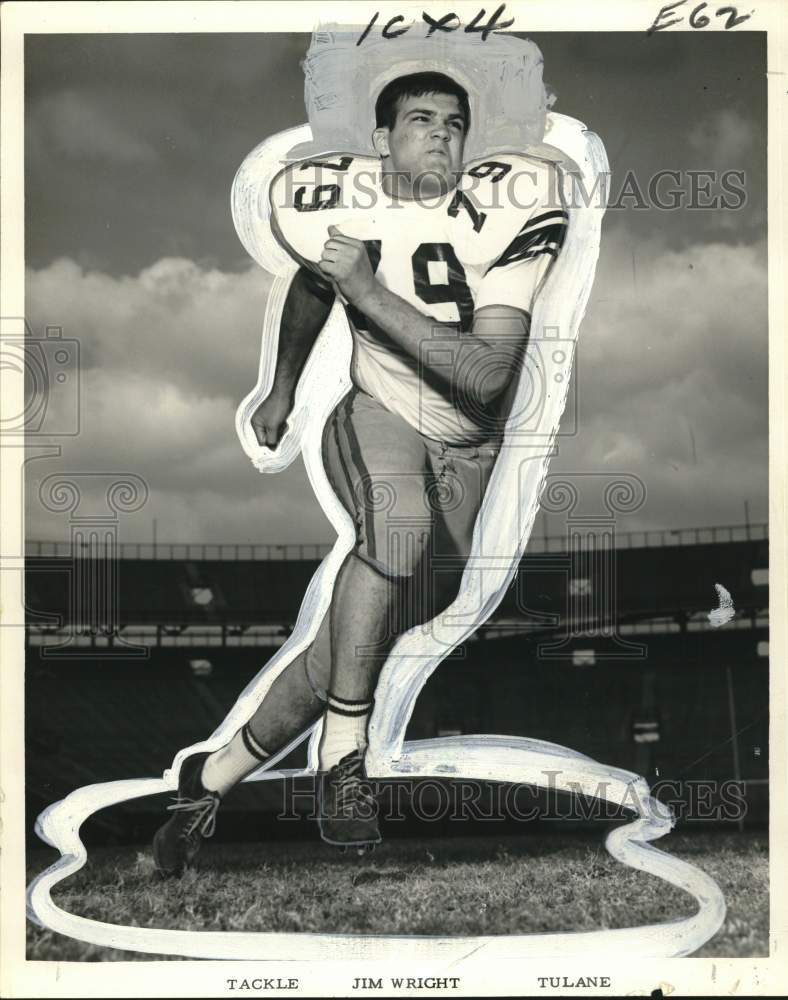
(487, 242)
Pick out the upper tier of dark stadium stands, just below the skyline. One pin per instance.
(674, 581)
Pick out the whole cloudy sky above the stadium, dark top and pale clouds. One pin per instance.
(132, 142)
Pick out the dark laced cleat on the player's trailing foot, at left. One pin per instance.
(177, 843)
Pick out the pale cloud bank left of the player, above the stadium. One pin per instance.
(166, 356)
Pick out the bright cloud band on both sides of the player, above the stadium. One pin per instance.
(671, 382)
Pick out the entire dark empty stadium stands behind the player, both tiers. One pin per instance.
(640, 680)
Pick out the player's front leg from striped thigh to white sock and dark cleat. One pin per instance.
(378, 465)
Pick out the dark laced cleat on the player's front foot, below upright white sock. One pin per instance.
(347, 810)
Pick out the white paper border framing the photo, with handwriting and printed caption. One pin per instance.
(687, 976)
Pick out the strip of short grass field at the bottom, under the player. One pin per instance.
(450, 886)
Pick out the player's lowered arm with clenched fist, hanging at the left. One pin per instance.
(305, 312)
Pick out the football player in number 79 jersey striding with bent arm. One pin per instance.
(437, 268)
